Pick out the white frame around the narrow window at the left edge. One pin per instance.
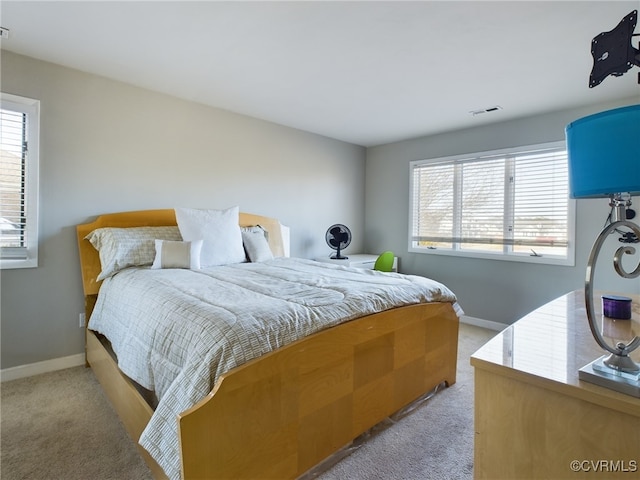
(27, 256)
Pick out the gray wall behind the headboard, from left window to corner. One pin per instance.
(107, 147)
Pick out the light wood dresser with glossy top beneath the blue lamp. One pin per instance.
(535, 419)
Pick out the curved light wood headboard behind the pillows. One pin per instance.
(90, 260)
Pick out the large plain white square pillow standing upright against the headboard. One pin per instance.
(219, 231)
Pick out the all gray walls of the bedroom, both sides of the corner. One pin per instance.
(108, 146)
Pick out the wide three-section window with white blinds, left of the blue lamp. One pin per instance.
(509, 205)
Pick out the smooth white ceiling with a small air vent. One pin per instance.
(366, 72)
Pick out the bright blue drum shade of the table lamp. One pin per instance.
(604, 153)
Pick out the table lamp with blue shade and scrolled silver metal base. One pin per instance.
(604, 161)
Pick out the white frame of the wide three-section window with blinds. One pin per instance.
(507, 252)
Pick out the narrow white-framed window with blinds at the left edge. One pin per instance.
(19, 130)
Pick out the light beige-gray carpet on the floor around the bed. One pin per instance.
(60, 426)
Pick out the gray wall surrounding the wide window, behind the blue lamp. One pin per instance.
(495, 290)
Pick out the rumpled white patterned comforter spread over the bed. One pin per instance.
(176, 331)
